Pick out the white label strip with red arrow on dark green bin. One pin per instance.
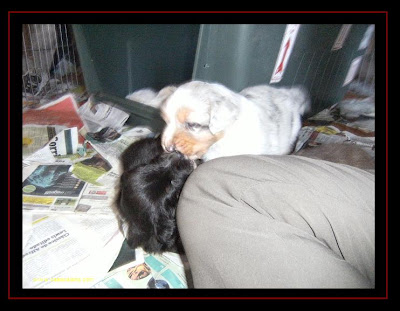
(287, 44)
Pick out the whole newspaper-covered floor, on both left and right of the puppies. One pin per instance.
(71, 167)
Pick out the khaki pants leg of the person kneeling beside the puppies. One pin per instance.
(278, 222)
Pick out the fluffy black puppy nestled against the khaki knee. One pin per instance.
(150, 186)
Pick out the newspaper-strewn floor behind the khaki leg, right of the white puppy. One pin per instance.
(343, 133)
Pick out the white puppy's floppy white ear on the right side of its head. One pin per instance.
(222, 114)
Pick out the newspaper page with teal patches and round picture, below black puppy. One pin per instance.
(158, 271)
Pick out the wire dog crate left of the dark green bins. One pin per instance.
(50, 62)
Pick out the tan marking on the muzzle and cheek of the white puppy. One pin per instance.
(194, 147)
